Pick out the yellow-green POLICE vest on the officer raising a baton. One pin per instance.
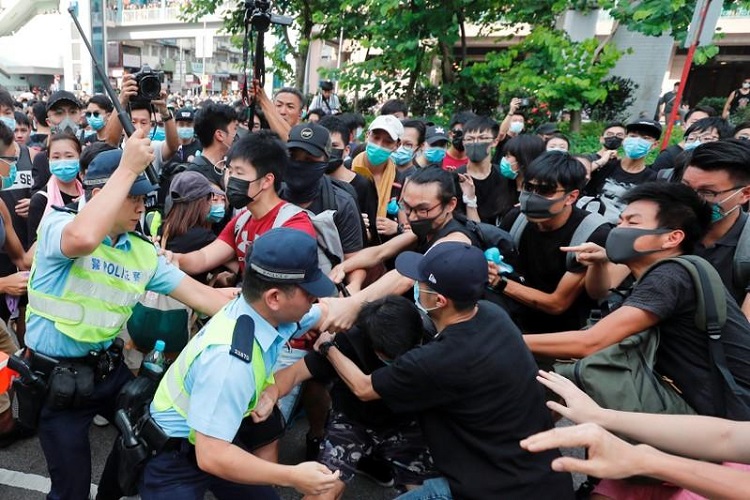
(99, 292)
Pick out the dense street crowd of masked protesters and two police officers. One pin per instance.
(343, 268)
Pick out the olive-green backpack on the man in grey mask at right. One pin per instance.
(622, 376)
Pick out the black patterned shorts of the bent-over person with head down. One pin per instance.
(402, 446)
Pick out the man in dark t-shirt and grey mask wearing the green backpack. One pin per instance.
(661, 220)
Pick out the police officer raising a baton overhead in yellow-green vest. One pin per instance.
(89, 270)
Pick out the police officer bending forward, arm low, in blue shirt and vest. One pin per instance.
(216, 381)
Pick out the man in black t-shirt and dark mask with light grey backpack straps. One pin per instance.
(552, 293)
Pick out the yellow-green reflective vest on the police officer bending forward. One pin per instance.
(172, 394)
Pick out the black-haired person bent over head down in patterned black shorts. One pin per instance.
(386, 329)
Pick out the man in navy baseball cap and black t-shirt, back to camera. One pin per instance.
(473, 386)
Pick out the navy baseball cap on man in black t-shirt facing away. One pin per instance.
(454, 269)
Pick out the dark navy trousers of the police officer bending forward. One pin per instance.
(174, 475)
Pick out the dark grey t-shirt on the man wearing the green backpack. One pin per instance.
(668, 292)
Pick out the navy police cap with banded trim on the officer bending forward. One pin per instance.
(290, 256)
